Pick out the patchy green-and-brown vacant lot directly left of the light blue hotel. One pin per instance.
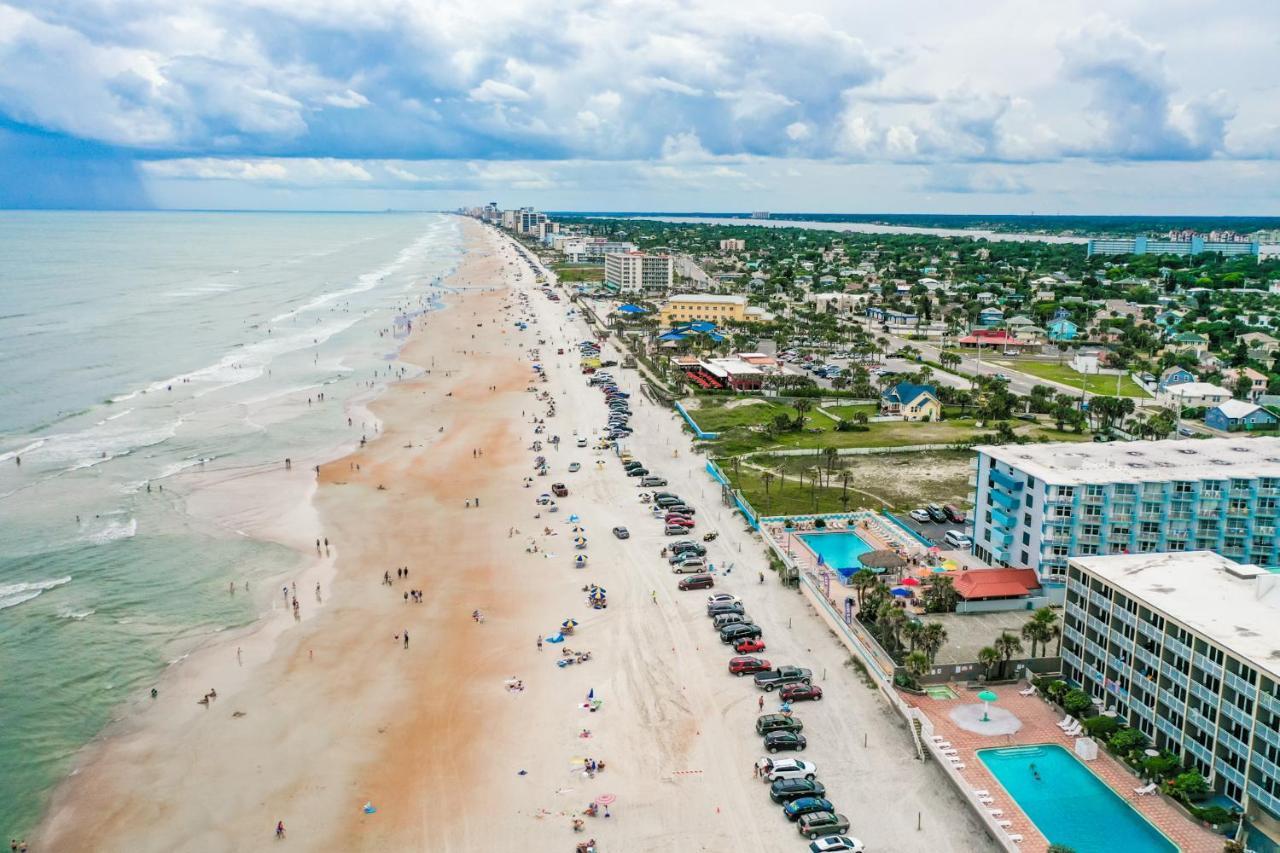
(883, 481)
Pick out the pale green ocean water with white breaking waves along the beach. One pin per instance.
(136, 352)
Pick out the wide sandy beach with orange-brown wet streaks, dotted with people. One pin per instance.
(318, 717)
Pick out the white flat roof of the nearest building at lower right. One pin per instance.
(1231, 604)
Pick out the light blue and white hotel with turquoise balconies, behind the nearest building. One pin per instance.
(1039, 505)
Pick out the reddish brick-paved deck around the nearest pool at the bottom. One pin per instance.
(1040, 727)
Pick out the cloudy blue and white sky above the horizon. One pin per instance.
(1128, 107)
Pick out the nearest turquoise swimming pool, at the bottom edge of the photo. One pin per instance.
(1069, 805)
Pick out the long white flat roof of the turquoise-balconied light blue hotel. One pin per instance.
(1156, 462)
